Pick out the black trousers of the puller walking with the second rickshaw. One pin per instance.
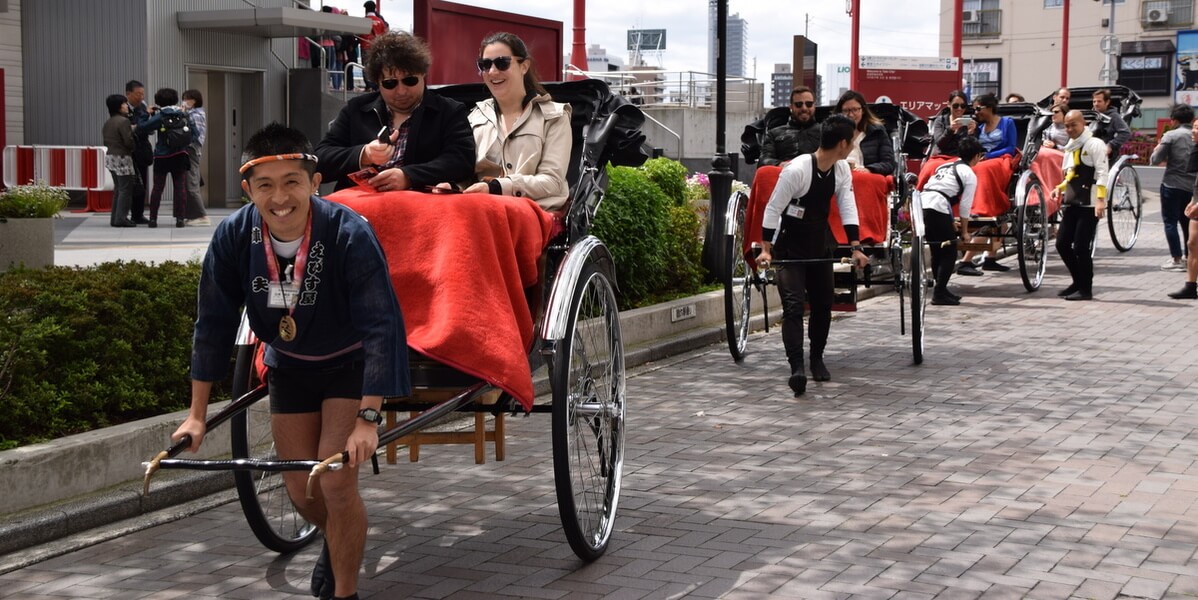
(814, 284)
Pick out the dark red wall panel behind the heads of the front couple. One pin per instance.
(455, 32)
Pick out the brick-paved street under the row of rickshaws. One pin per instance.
(1045, 450)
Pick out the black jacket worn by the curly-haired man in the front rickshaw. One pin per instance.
(440, 144)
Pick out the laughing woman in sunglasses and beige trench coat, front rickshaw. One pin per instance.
(522, 135)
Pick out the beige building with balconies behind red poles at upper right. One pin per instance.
(1015, 46)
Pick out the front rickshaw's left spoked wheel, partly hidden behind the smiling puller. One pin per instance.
(264, 499)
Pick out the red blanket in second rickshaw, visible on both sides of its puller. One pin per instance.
(869, 190)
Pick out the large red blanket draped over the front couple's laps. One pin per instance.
(461, 265)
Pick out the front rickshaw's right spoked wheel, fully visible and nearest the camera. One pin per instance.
(589, 416)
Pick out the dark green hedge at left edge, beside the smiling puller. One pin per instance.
(88, 348)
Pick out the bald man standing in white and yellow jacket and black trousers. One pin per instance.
(1085, 195)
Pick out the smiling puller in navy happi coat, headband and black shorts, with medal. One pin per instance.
(316, 289)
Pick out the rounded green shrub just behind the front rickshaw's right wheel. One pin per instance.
(632, 223)
